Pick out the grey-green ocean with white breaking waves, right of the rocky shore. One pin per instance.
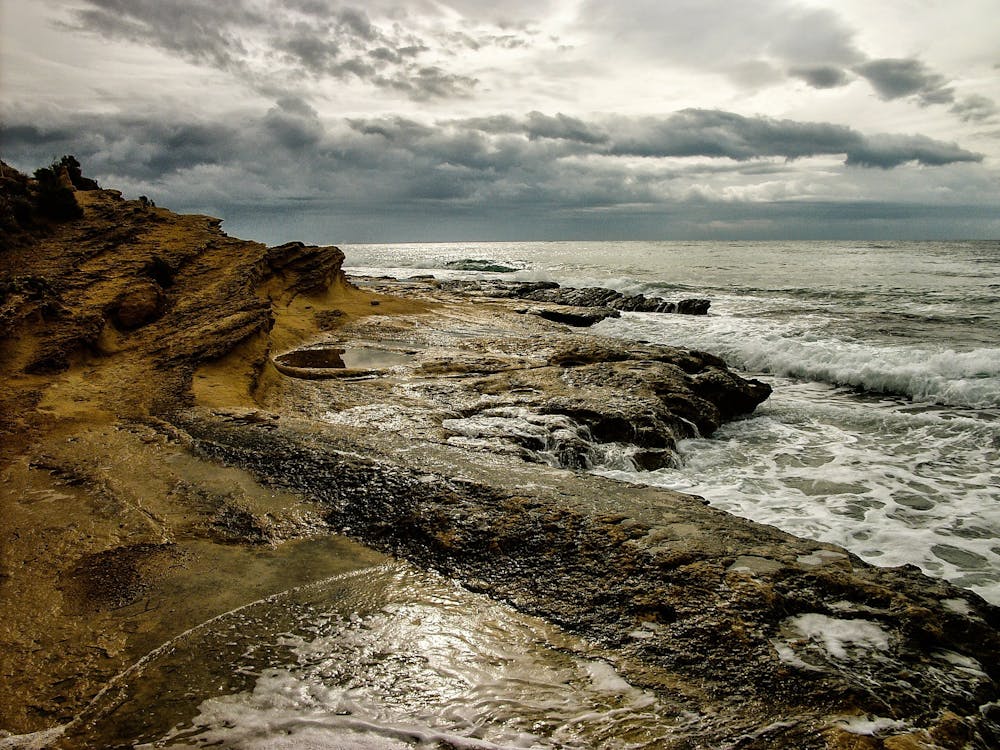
(883, 431)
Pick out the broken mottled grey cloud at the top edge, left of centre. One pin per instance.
(275, 46)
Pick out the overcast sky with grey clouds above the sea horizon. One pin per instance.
(405, 121)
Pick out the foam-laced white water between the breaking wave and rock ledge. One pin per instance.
(892, 483)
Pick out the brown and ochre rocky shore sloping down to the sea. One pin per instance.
(192, 422)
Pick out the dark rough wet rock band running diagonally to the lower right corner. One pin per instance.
(760, 632)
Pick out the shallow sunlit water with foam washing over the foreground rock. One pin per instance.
(387, 658)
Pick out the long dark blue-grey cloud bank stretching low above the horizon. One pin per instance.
(539, 165)
